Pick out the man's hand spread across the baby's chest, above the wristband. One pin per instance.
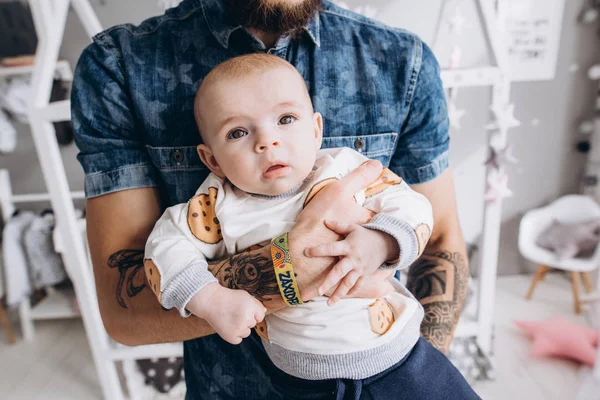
(334, 202)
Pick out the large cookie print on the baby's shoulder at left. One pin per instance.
(202, 218)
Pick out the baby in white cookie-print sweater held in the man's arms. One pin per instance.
(261, 141)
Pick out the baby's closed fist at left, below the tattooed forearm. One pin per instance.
(232, 313)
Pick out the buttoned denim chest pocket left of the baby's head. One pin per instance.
(180, 169)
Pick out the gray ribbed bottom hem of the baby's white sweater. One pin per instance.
(359, 365)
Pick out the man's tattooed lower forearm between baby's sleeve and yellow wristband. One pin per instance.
(251, 271)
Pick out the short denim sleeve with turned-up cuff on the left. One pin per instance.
(111, 151)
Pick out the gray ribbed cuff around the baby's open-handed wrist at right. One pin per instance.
(404, 235)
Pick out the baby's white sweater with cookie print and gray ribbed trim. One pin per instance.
(312, 340)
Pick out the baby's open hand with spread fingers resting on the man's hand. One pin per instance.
(360, 254)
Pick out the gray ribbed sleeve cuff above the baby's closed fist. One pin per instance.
(179, 290)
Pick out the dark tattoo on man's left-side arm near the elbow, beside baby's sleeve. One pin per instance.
(128, 262)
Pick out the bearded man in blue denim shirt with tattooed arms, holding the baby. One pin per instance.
(379, 91)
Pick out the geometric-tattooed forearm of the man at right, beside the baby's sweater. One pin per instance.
(439, 281)
